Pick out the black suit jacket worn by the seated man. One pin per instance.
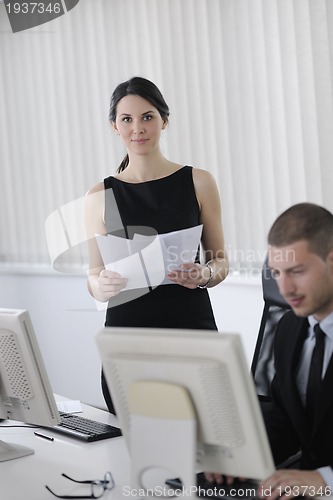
(287, 426)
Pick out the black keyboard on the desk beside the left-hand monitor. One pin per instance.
(85, 429)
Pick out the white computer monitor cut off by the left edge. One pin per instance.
(25, 391)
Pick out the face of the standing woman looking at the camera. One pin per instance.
(139, 124)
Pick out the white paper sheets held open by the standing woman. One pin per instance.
(146, 260)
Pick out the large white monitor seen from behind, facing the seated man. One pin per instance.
(211, 368)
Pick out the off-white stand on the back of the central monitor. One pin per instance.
(163, 432)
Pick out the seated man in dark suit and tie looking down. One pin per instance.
(301, 418)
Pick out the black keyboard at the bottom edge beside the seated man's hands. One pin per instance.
(238, 490)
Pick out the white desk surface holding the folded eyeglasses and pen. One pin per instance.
(25, 478)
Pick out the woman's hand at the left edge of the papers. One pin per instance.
(107, 285)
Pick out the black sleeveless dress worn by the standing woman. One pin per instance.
(162, 205)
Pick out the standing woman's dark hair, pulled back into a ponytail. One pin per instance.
(143, 88)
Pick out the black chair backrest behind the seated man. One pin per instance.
(275, 307)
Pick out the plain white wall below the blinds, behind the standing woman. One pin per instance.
(66, 321)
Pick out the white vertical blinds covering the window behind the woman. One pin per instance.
(248, 83)
